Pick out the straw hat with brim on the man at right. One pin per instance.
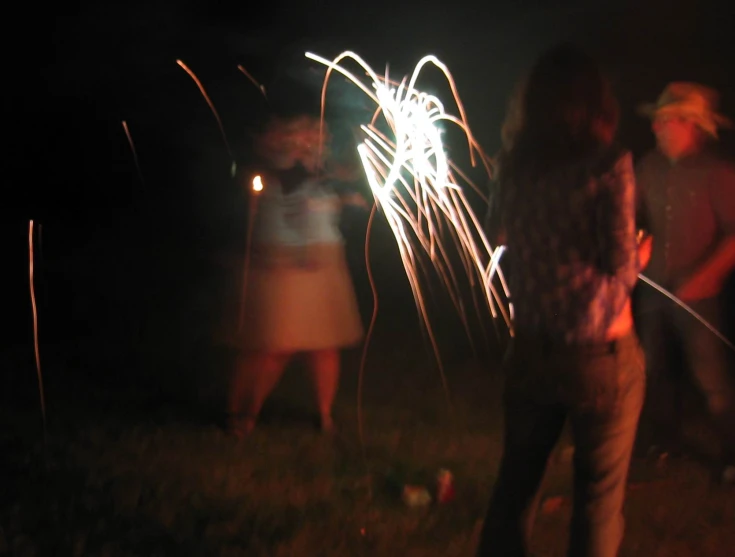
(691, 101)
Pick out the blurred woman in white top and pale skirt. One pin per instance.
(299, 296)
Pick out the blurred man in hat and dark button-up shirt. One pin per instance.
(687, 201)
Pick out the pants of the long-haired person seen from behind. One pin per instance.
(600, 389)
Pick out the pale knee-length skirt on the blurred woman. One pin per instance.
(296, 299)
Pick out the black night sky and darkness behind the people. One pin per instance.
(129, 266)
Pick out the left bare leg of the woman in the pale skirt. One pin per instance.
(255, 377)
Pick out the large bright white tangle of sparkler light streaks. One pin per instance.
(416, 185)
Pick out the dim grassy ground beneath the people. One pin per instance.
(130, 473)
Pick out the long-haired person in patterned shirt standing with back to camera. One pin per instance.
(564, 206)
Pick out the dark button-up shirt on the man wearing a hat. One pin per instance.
(688, 206)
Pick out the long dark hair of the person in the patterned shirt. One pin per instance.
(563, 111)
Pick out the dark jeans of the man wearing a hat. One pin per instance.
(677, 342)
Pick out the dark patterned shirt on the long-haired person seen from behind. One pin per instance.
(572, 258)
